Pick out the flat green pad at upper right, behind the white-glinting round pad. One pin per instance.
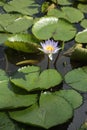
(65, 13)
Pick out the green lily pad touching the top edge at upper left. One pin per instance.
(29, 7)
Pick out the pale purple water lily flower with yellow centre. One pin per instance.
(49, 47)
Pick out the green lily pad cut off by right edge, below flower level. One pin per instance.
(77, 79)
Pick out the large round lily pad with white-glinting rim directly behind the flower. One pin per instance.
(48, 27)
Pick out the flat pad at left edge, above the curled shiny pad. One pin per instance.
(14, 23)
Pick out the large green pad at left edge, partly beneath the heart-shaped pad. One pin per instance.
(10, 99)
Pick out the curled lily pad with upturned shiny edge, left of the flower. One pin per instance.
(23, 42)
